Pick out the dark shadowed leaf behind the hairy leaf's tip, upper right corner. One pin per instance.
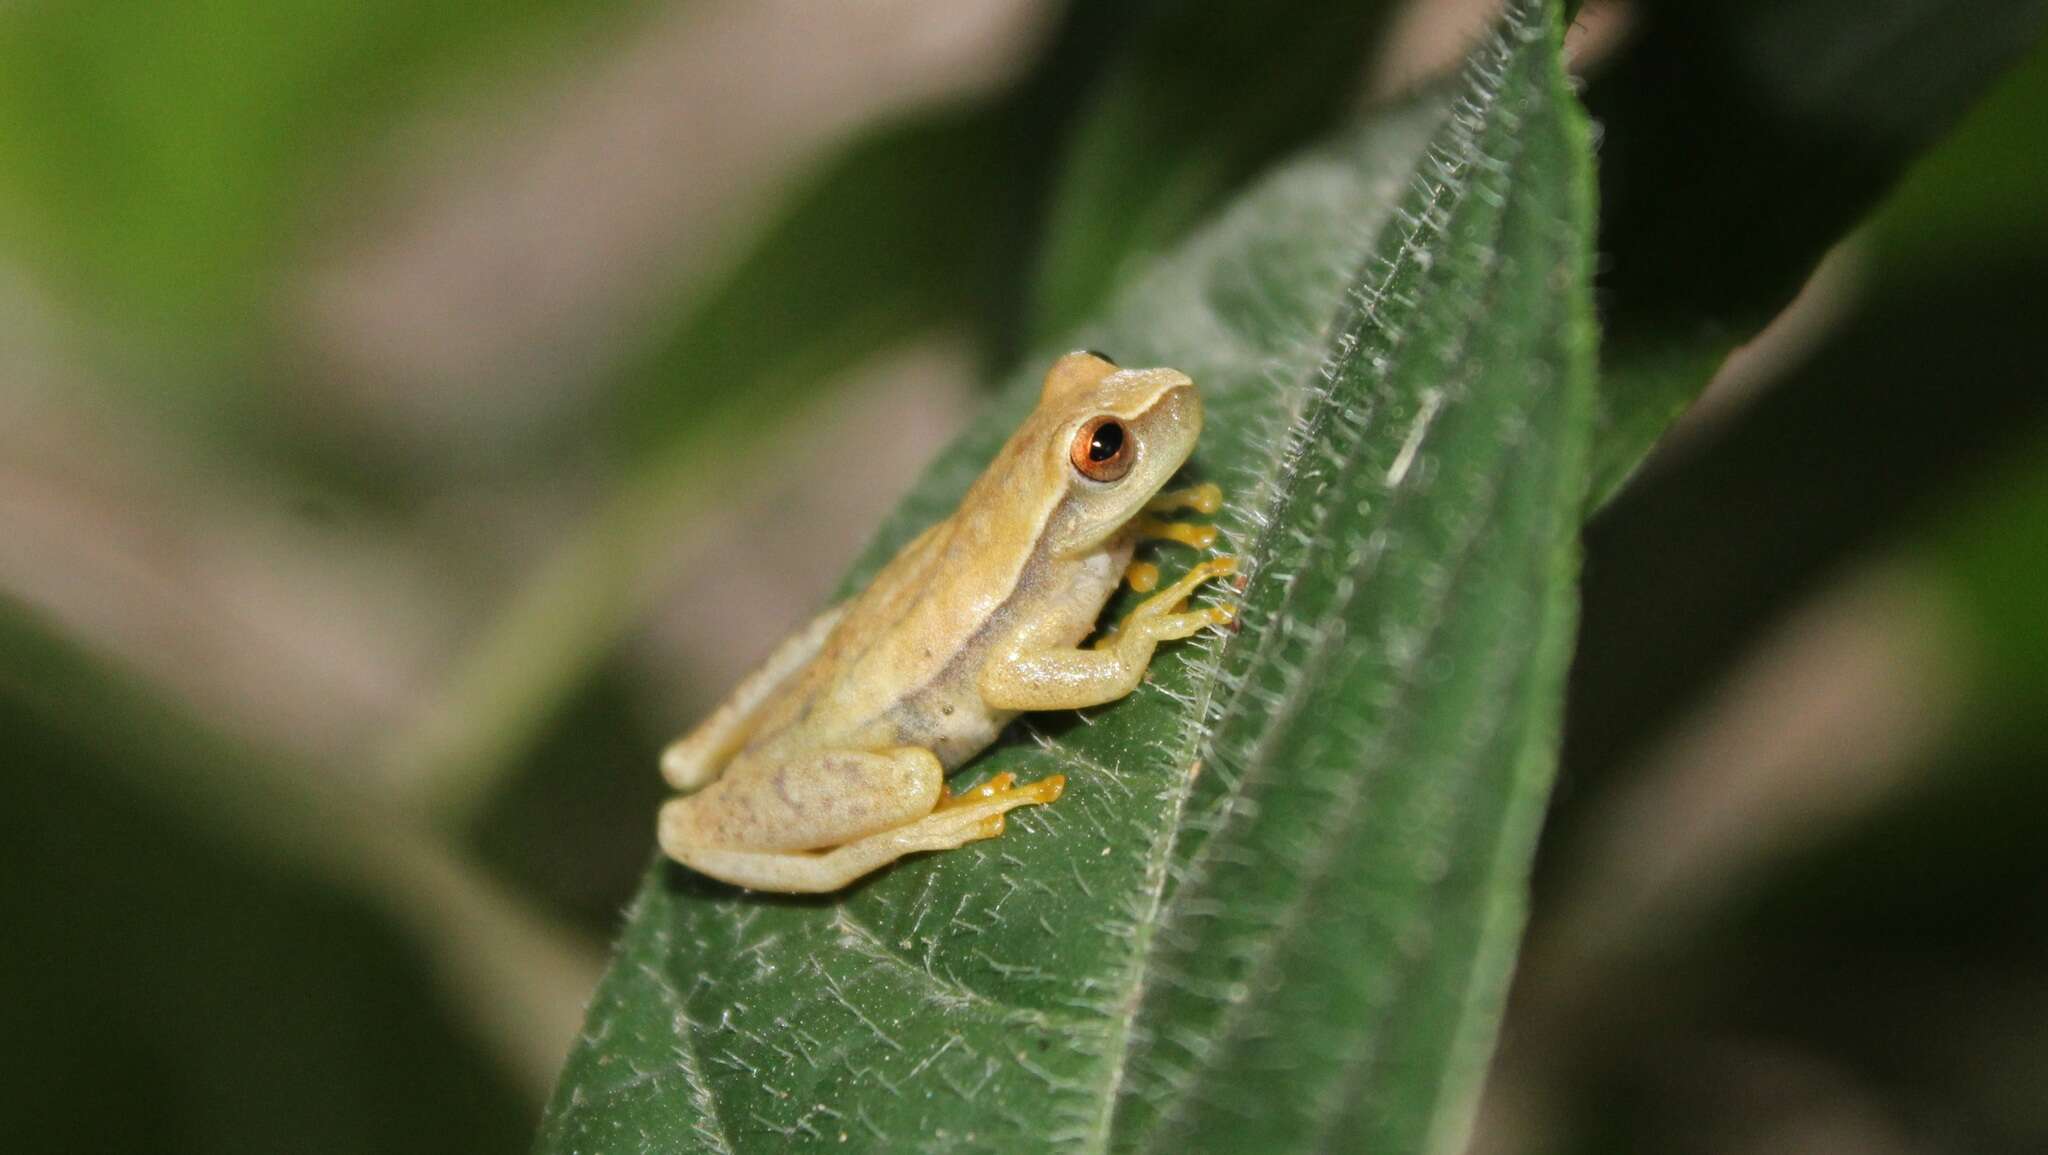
(1744, 138)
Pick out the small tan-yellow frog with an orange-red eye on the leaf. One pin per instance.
(830, 761)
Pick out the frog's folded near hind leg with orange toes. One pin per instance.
(826, 818)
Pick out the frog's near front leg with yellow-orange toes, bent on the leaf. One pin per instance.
(1033, 677)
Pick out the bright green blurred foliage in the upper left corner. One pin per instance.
(153, 155)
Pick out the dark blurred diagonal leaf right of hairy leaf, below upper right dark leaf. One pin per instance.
(1770, 507)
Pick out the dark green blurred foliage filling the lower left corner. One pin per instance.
(189, 980)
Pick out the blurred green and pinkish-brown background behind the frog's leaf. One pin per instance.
(413, 415)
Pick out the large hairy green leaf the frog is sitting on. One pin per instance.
(1279, 904)
